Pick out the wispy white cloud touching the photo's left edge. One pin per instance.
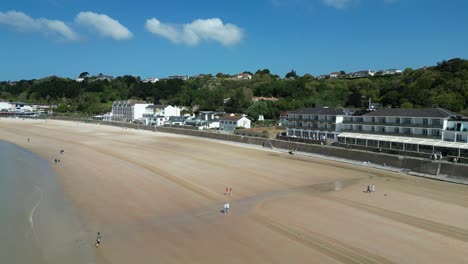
(24, 23)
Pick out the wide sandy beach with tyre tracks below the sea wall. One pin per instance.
(156, 198)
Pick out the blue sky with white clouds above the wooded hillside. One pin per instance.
(159, 38)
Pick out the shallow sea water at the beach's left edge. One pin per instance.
(37, 223)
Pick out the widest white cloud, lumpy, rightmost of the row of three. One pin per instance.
(198, 30)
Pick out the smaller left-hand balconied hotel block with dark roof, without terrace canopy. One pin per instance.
(319, 123)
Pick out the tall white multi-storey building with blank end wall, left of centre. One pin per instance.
(128, 110)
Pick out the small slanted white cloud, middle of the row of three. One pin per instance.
(103, 24)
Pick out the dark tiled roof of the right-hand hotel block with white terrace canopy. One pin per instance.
(410, 112)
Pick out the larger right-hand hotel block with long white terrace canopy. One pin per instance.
(431, 130)
